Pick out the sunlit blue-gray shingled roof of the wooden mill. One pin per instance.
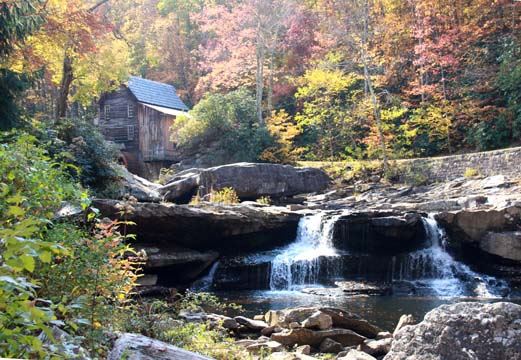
(155, 93)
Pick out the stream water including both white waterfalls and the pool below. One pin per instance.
(421, 280)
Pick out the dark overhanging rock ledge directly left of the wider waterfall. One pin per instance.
(207, 226)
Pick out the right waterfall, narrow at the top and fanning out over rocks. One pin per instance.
(435, 269)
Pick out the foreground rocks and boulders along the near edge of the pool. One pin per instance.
(458, 331)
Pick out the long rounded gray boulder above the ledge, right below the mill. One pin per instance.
(249, 180)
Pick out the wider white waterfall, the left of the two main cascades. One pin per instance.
(311, 256)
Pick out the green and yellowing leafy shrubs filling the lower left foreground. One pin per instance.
(53, 272)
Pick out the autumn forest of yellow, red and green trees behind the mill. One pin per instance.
(314, 80)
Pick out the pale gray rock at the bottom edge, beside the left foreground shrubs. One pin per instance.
(139, 347)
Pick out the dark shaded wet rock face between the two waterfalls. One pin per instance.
(380, 233)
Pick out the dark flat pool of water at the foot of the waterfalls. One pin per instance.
(383, 311)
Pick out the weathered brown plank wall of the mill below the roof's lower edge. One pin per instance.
(154, 134)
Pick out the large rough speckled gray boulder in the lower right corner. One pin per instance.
(462, 331)
